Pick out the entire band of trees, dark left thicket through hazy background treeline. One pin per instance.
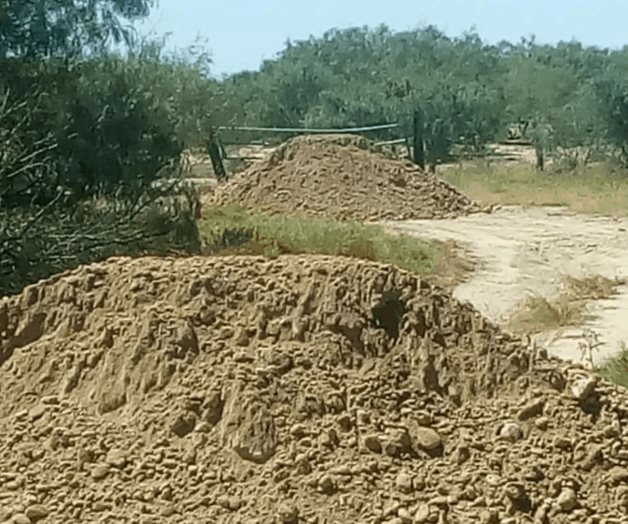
(90, 139)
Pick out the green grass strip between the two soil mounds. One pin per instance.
(236, 231)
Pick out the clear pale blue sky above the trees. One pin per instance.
(241, 33)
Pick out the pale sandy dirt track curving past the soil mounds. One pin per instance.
(530, 251)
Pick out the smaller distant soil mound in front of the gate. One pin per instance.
(342, 177)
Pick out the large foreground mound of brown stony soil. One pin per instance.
(298, 390)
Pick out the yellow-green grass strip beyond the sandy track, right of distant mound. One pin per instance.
(593, 190)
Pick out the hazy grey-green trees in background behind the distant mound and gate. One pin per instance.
(567, 99)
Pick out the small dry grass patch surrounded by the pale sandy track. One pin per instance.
(569, 308)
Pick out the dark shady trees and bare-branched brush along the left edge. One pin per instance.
(90, 140)
